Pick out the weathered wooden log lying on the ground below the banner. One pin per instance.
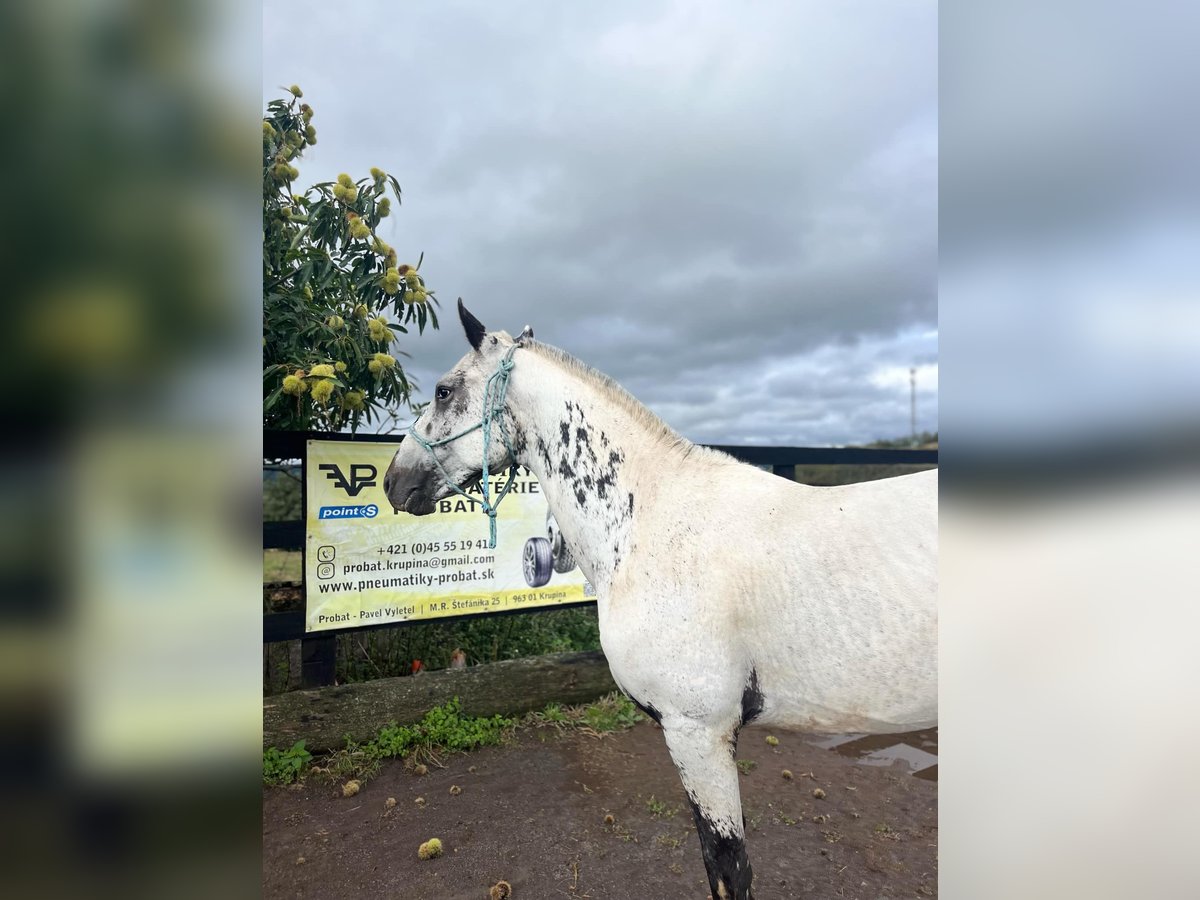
(326, 716)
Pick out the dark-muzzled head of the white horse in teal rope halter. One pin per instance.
(446, 447)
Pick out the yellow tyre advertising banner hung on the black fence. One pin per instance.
(367, 565)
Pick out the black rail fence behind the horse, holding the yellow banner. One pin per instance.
(319, 651)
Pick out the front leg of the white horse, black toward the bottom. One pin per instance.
(704, 757)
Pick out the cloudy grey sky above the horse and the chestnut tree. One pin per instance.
(730, 208)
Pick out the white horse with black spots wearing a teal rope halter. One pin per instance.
(725, 595)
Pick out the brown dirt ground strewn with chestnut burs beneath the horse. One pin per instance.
(533, 814)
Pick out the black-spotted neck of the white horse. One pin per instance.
(589, 452)
